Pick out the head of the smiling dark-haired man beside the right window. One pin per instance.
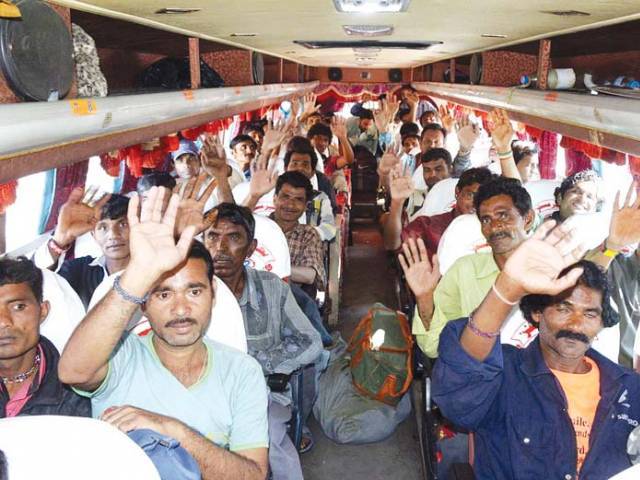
(577, 194)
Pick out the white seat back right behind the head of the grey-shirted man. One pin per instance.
(272, 252)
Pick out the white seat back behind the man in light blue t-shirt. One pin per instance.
(226, 327)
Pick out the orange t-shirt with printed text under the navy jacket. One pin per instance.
(583, 395)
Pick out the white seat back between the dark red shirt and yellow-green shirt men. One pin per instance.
(462, 237)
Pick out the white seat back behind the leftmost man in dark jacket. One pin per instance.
(66, 309)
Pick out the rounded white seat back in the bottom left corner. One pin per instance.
(71, 448)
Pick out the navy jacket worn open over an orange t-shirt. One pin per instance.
(518, 411)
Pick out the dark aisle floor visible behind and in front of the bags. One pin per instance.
(366, 281)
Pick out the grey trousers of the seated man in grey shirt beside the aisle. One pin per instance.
(284, 460)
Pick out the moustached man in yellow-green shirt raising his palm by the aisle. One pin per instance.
(504, 209)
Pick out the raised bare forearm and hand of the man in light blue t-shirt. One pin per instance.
(84, 362)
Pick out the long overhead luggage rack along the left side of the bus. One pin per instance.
(39, 136)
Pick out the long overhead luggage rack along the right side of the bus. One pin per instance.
(607, 121)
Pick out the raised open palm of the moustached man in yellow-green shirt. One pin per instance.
(422, 275)
